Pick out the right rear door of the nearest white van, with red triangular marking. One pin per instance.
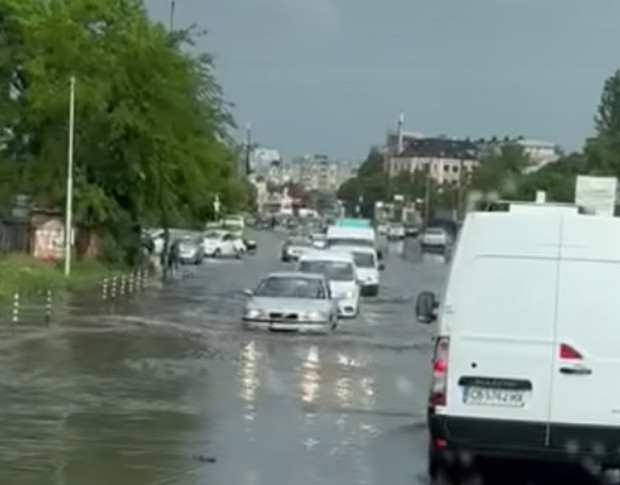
(585, 406)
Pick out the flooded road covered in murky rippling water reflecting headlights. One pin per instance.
(167, 389)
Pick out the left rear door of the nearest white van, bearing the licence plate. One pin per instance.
(499, 313)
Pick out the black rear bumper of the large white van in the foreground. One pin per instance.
(524, 440)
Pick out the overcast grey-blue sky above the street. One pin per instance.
(331, 76)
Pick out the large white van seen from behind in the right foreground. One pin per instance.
(527, 355)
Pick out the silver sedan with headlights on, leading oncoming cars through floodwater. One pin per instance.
(291, 301)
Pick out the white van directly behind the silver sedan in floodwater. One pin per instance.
(339, 268)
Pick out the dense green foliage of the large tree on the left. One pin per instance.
(151, 143)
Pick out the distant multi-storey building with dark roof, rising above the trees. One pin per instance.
(447, 160)
